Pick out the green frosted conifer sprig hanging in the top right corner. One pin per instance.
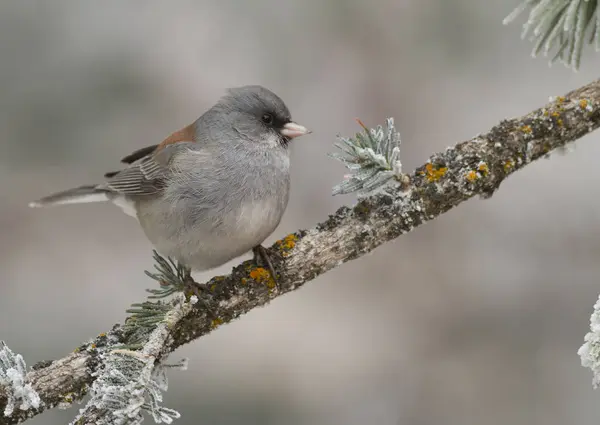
(560, 25)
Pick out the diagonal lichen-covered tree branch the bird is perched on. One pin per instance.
(474, 167)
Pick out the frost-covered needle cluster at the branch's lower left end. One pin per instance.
(12, 377)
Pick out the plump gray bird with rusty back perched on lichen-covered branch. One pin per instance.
(211, 191)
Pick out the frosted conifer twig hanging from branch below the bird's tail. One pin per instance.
(130, 382)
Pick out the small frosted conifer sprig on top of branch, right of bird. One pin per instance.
(373, 156)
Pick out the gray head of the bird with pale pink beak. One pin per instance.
(257, 115)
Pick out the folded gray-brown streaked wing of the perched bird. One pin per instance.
(146, 175)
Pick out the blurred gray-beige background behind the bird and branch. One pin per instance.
(475, 318)
